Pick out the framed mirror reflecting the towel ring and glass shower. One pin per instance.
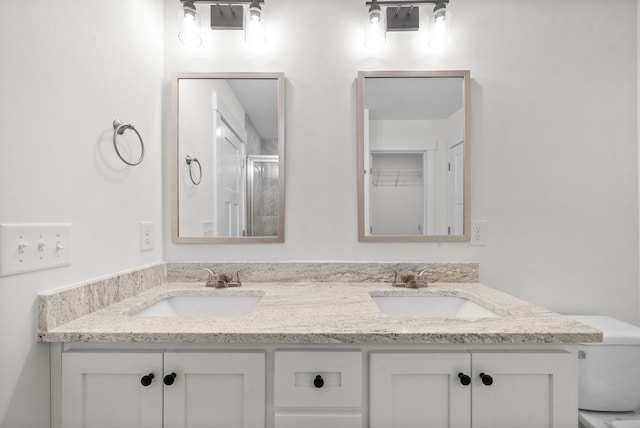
(228, 157)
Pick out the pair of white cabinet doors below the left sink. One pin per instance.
(162, 389)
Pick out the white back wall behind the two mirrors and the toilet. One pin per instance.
(553, 134)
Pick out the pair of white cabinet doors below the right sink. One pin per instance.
(479, 389)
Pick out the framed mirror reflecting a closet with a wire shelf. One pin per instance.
(413, 156)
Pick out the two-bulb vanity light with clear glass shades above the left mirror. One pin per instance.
(224, 16)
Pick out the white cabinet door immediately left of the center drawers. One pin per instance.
(225, 390)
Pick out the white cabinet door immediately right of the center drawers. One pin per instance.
(419, 390)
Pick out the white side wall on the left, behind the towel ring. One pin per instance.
(67, 70)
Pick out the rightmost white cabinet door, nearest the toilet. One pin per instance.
(532, 390)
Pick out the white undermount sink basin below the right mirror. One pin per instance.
(431, 307)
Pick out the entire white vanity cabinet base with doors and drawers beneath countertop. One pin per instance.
(315, 386)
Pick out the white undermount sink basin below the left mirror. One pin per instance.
(202, 306)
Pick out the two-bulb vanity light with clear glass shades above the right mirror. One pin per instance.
(404, 16)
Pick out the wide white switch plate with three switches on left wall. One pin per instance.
(33, 247)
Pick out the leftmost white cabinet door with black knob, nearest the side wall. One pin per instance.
(105, 390)
